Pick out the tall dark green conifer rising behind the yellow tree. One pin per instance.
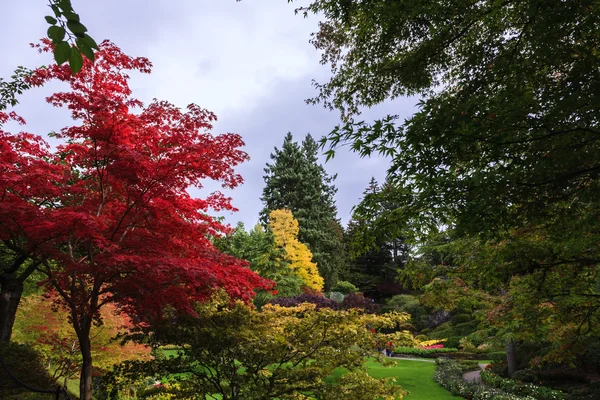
(296, 181)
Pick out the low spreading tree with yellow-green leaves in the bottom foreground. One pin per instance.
(284, 353)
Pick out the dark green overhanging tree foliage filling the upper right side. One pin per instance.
(503, 149)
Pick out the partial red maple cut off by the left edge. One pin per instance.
(30, 179)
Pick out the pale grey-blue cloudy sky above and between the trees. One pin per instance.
(249, 62)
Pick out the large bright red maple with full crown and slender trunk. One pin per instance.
(129, 231)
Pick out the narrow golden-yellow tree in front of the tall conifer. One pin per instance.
(285, 231)
